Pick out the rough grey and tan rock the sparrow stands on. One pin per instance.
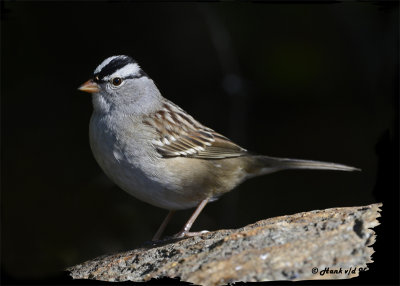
(294, 247)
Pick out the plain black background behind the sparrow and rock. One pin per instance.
(312, 81)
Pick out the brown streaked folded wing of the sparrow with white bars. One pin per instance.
(180, 135)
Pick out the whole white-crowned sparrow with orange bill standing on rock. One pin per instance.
(155, 151)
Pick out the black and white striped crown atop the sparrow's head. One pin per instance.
(118, 66)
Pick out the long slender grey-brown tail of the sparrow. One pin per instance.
(272, 164)
